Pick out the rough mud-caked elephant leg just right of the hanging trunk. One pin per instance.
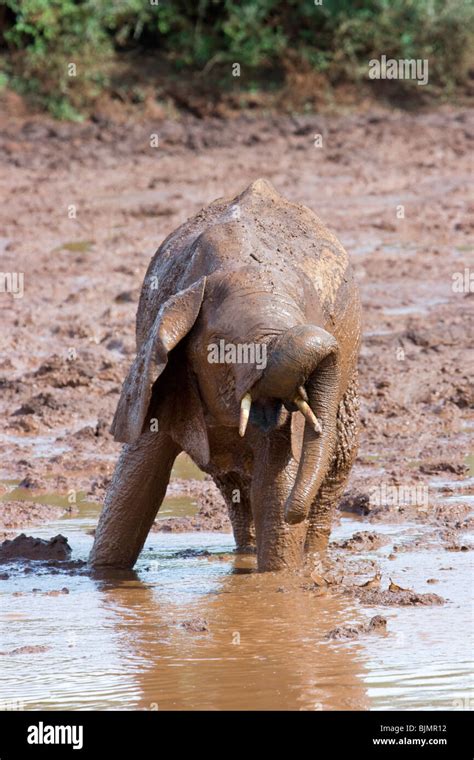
(330, 493)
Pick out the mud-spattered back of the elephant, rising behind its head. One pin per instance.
(258, 226)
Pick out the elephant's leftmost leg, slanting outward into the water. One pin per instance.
(133, 499)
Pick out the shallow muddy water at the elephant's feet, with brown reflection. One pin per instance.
(201, 630)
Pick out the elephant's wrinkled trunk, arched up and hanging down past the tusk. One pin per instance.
(307, 356)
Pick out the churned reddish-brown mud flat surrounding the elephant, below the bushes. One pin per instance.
(67, 344)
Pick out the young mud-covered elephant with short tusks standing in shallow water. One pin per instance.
(248, 333)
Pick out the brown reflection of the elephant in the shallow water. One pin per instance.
(263, 649)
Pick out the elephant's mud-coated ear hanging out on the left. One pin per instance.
(173, 322)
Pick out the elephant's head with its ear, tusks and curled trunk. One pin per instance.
(295, 370)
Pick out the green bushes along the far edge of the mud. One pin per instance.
(39, 40)
